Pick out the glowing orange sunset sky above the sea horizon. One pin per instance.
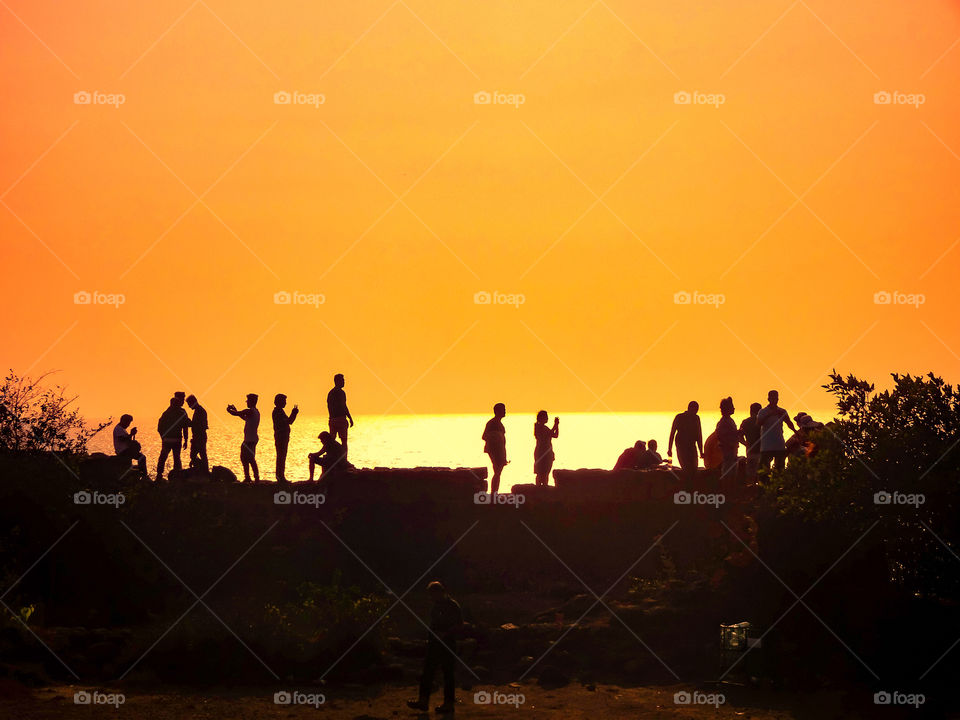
(598, 199)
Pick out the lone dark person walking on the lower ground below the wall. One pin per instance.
(446, 621)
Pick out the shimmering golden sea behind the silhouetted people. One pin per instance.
(587, 440)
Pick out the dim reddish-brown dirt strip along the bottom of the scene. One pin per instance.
(576, 702)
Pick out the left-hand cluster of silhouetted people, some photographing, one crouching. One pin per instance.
(177, 431)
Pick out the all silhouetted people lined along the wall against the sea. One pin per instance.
(761, 433)
